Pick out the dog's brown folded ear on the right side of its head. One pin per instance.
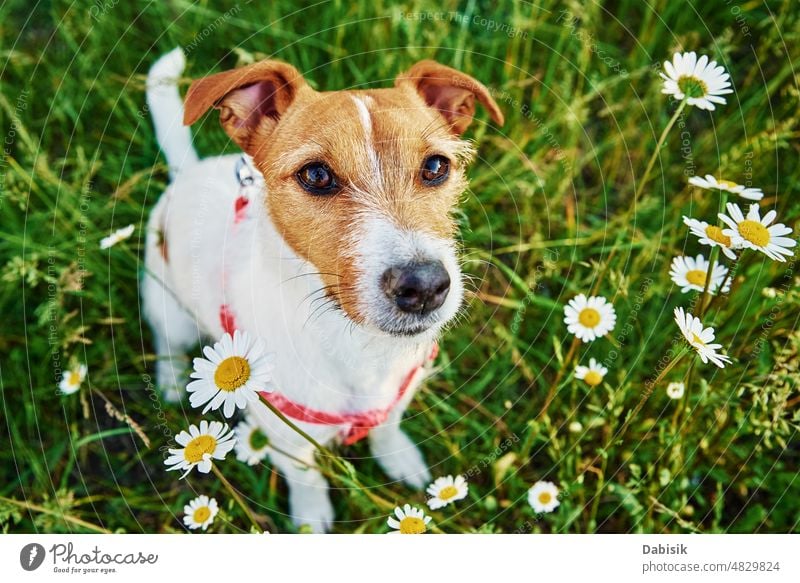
(451, 92)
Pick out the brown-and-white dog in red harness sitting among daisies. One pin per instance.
(331, 238)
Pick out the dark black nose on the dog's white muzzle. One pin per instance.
(418, 288)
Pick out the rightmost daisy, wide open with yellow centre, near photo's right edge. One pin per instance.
(755, 232)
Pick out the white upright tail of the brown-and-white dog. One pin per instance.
(166, 108)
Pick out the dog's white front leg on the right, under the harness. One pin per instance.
(396, 453)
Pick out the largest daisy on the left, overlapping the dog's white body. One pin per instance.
(233, 372)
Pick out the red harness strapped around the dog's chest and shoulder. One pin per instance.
(357, 425)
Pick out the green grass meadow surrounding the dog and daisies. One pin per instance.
(547, 216)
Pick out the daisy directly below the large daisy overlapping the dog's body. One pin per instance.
(211, 441)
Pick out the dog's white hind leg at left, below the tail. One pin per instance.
(174, 329)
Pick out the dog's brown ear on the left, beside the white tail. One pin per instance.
(251, 99)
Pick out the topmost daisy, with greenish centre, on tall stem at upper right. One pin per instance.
(698, 81)
